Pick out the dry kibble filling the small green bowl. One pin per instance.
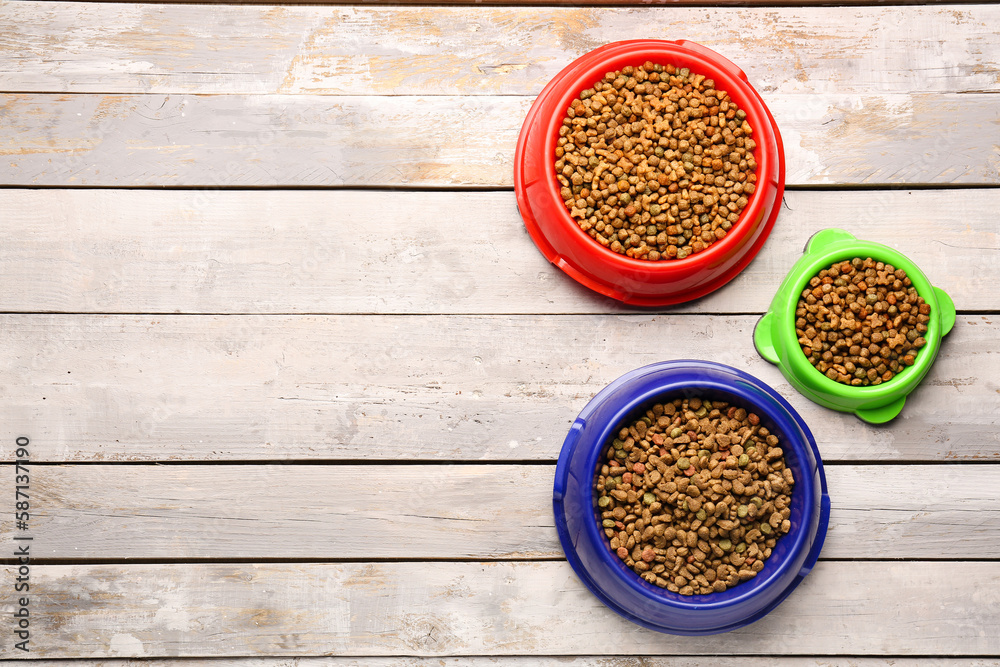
(860, 322)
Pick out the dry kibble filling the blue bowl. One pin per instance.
(694, 495)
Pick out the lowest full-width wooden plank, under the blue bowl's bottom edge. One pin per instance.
(441, 609)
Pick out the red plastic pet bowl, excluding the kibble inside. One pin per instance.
(633, 281)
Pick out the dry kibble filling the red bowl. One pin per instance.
(654, 162)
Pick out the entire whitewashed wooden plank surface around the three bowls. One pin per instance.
(295, 376)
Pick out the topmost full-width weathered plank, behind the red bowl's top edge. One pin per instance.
(143, 48)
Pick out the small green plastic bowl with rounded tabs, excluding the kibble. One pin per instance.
(776, 341)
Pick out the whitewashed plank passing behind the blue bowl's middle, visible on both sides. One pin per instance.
(114, 512)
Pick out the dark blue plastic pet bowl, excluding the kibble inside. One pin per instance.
(606, 576)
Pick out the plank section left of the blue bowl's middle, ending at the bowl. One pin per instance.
(309, 512)
